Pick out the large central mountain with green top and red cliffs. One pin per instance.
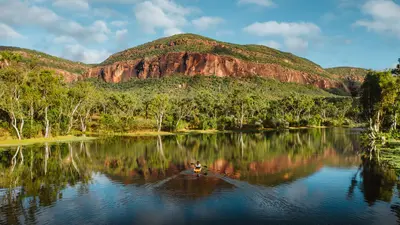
(191, 54)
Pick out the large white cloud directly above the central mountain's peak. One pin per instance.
(161, 14)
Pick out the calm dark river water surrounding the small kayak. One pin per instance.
(297, 177)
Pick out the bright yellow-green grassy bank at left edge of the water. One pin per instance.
(15, 142)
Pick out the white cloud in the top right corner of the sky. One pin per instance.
(385, 17)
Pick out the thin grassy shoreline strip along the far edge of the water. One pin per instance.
(96, 135)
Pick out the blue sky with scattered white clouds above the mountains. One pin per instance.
(361, 33)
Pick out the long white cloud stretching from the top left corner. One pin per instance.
(23, 14)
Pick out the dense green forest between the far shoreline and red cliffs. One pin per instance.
(38, 103)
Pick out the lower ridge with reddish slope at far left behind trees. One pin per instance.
(71, 71)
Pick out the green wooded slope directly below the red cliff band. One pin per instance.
(182, 85)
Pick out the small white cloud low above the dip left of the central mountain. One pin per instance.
(77, 52)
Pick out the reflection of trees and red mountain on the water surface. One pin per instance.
(33, 178)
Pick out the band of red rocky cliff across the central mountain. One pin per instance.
(191, 64)
